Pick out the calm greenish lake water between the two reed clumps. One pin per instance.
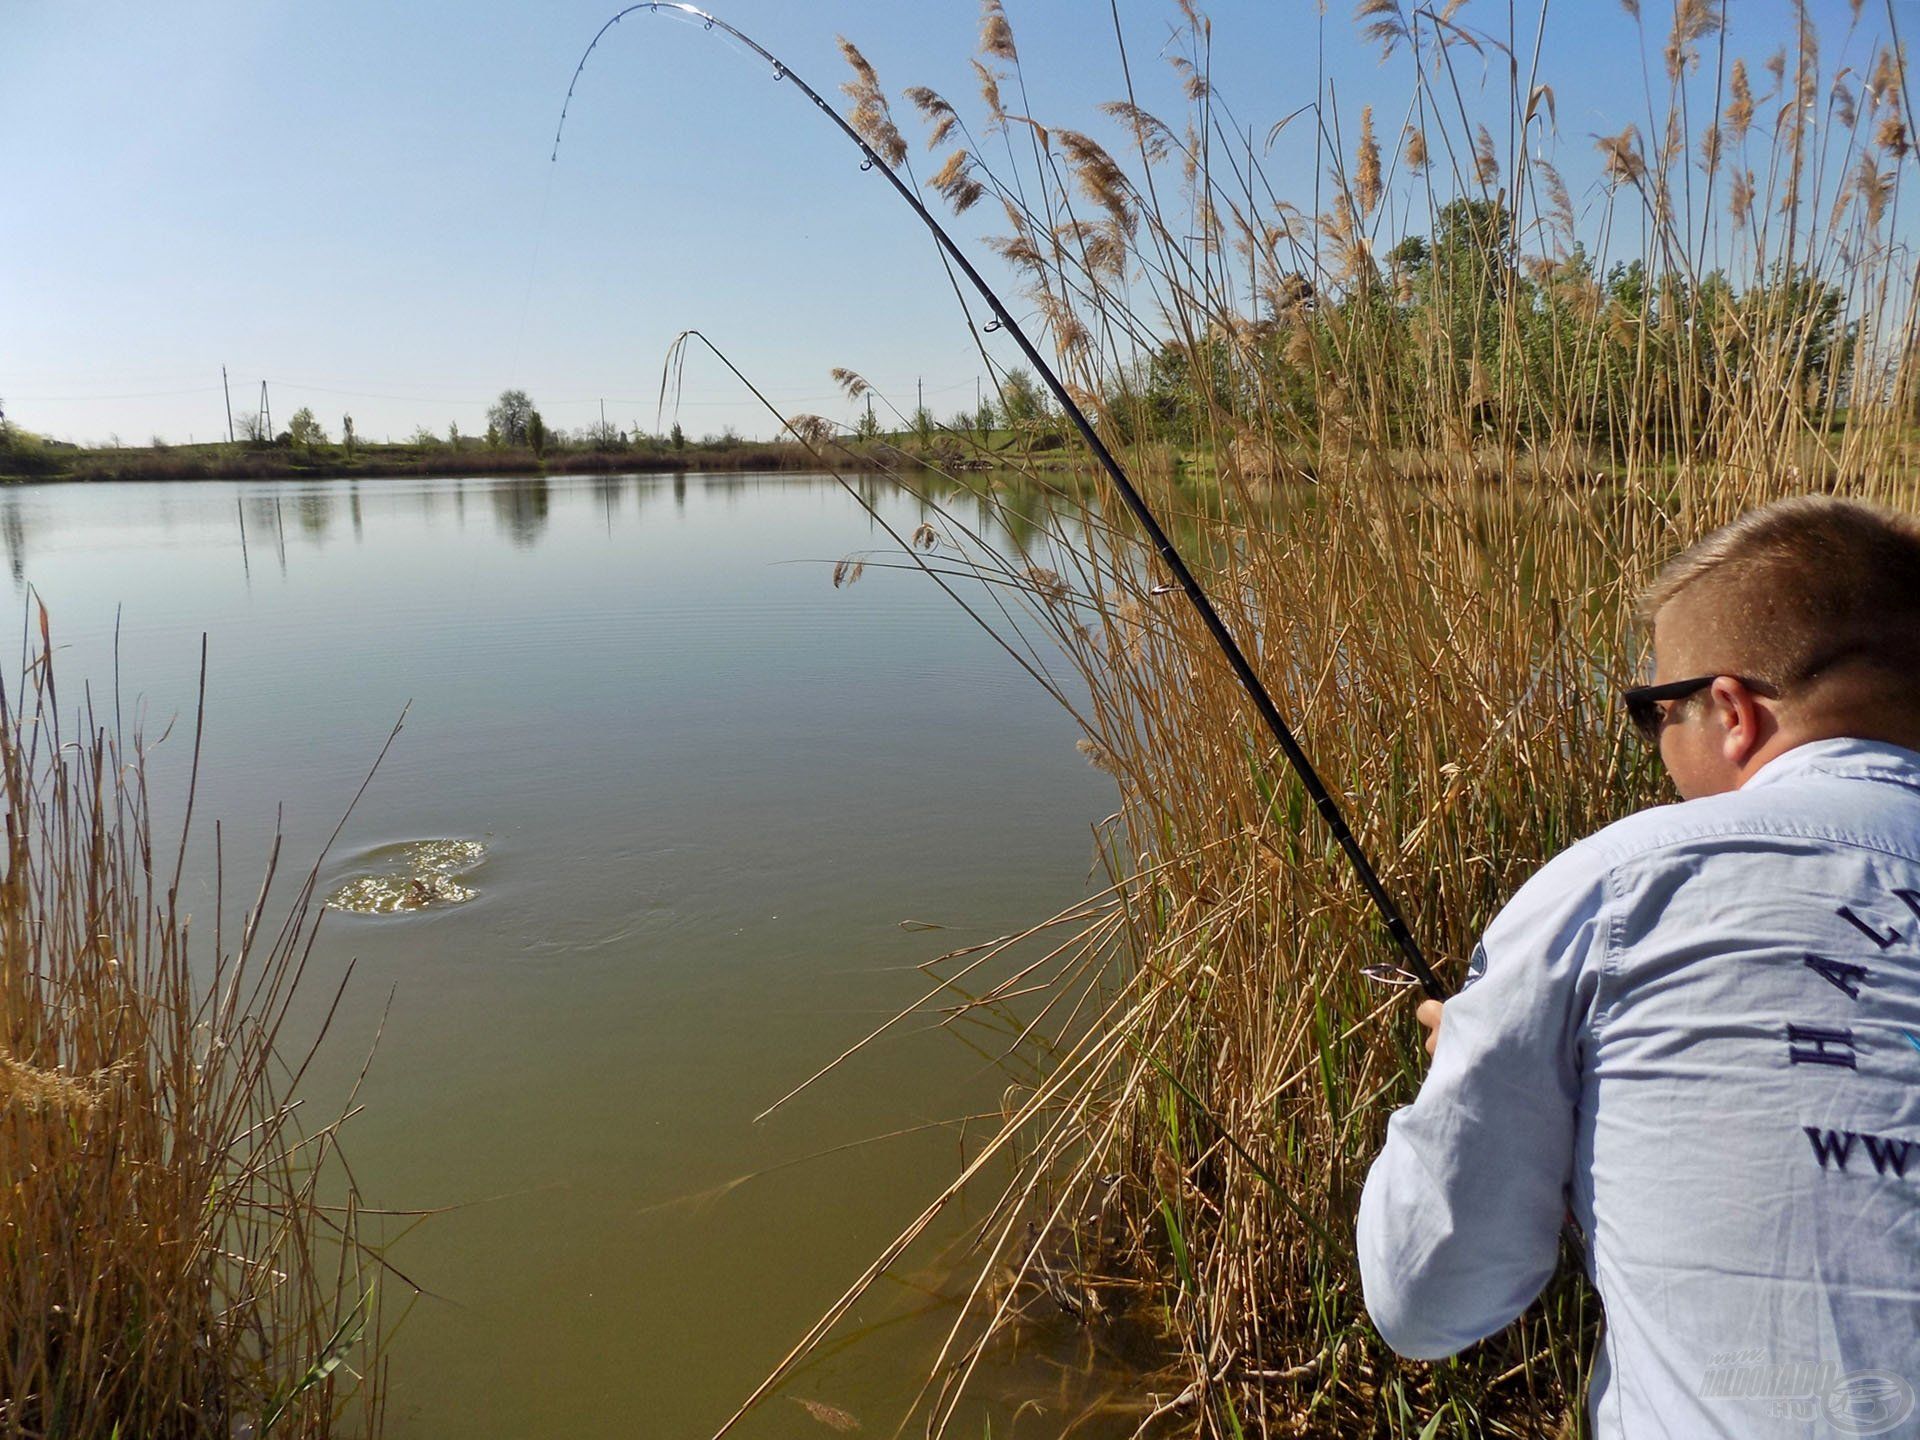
(709, 786)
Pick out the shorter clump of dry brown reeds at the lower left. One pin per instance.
(180, 1253)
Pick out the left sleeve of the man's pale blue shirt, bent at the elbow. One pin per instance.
(1462, 1212)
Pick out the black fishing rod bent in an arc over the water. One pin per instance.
(1170, 558)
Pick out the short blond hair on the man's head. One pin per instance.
(1804, 590)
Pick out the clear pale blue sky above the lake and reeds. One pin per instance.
(354, 201)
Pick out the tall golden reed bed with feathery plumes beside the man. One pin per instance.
(1424, 435)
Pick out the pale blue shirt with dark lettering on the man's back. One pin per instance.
(1698, 1032)
